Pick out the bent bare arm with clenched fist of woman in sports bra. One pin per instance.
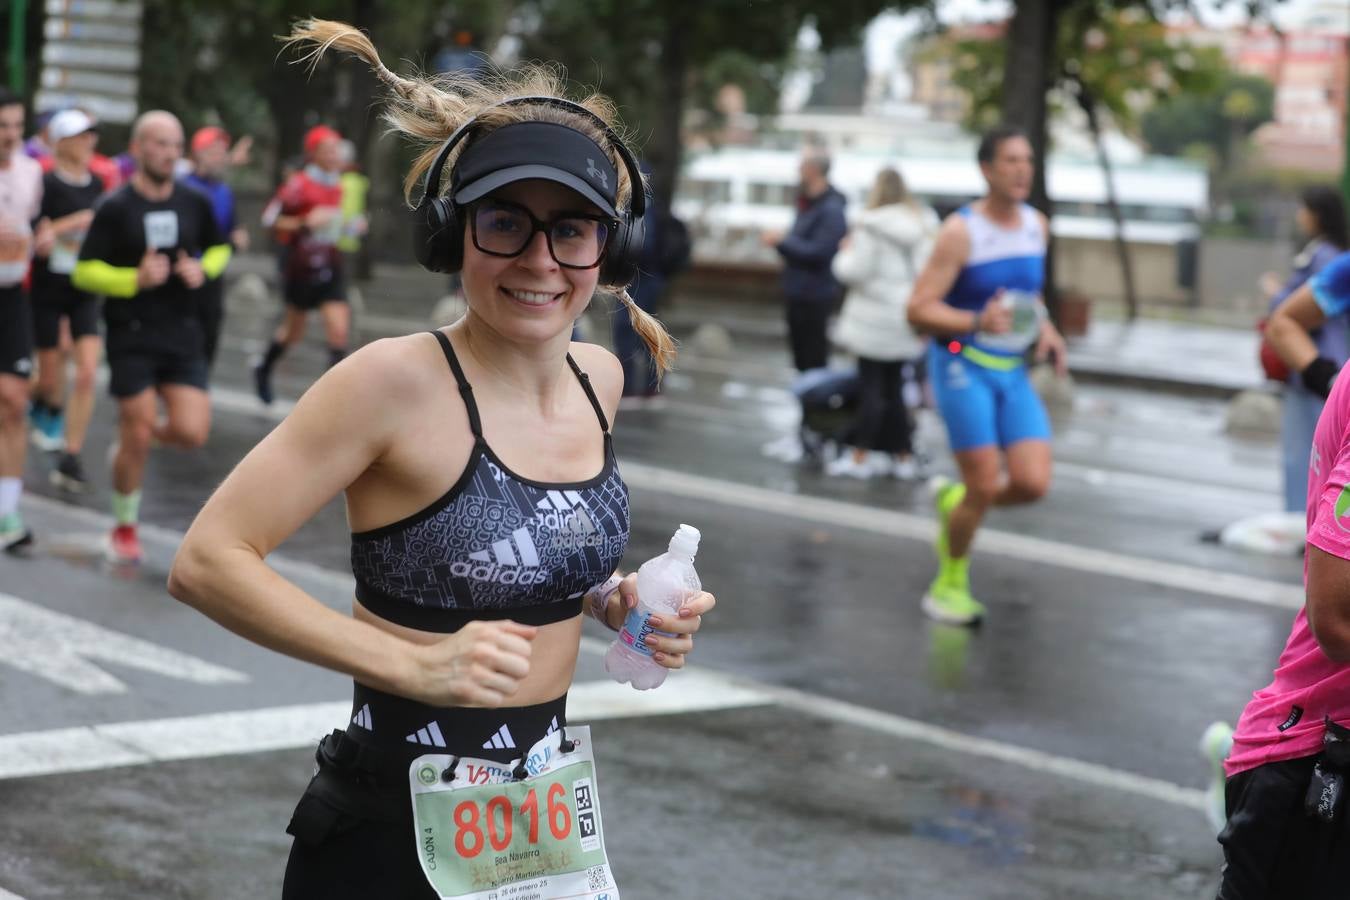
(313, 457)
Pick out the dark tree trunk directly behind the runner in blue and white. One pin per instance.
(1027, 79)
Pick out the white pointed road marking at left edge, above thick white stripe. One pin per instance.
(59, 648)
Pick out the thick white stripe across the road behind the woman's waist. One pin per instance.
(101, 747)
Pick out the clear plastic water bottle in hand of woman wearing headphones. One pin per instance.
(664, 585)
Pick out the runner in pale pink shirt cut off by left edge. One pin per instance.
(21, 198)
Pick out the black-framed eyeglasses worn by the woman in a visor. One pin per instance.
(576, 241)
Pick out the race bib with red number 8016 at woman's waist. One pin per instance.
(483, 835)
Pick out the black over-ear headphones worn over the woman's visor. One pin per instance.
(439, 230)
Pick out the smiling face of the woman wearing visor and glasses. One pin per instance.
(530, 298)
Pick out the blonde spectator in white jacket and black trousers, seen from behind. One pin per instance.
(878, 262)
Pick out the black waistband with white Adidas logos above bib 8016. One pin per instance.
(398, 731)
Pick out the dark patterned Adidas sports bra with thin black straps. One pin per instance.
(496, 546)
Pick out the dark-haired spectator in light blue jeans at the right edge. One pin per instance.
(1322, 219)
